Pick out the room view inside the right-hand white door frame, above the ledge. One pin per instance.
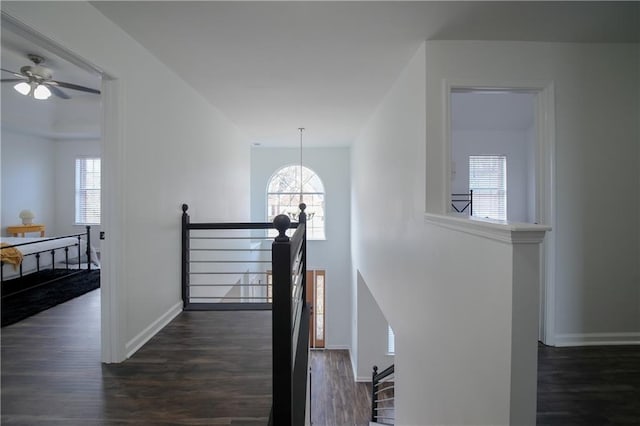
(493, 137)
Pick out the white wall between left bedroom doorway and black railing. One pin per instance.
(171, 147)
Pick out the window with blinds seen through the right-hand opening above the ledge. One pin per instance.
(488, 180)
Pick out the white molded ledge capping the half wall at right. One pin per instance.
(502, 231)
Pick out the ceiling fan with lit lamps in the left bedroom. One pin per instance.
(36, 81)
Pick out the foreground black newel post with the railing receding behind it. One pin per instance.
(290, 313)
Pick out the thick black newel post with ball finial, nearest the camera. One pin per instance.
(281, 320)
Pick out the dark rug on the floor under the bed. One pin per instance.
(24, 297)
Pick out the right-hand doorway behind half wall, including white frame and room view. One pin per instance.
(501, 153)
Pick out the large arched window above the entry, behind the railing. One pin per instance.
(283, 197)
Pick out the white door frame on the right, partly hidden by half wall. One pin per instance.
(545, 171)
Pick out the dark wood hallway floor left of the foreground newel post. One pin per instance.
(204, 368)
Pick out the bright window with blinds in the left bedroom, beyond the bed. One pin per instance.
(87, 191)
